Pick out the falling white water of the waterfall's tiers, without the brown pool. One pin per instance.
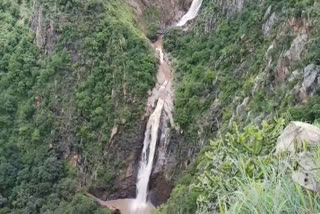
(162, 93)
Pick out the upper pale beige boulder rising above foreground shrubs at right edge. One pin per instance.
(295, 134)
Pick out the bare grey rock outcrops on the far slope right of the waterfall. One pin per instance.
(279, 58)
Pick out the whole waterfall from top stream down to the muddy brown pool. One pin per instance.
(161, 103)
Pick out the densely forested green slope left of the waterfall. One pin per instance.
(59, 101)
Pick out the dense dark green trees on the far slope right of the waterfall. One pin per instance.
(227, 62)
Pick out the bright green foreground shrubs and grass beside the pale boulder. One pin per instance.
(239, 173)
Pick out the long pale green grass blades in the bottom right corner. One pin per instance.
(277, 194)
